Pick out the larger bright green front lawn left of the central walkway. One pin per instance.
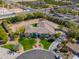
(27, 43)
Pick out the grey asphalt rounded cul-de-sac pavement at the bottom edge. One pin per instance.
(37, 54)
